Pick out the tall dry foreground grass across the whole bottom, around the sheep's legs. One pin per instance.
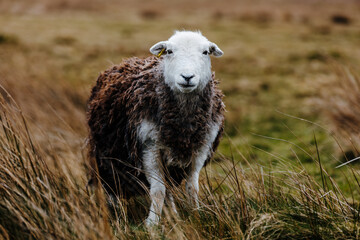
(39, 202)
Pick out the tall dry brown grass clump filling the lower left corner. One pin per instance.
(39, 202)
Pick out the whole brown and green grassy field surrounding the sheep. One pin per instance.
(289, 75)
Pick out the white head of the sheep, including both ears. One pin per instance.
(186, 60)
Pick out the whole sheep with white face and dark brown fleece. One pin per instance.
(156, 121)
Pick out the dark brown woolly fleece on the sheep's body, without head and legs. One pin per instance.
(135, 90)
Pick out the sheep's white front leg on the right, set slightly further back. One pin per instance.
(192, 182)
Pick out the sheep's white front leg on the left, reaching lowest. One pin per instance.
(154, 175)
